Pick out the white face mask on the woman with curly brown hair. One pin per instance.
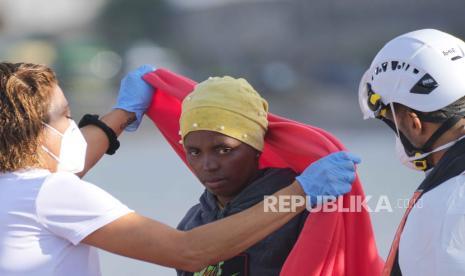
(72, 151)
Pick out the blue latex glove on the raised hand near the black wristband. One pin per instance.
(135, 95)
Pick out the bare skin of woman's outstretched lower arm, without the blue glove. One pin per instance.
(145, 239)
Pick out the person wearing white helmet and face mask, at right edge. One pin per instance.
(416, 85)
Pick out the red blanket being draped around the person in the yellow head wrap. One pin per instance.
(331, 243)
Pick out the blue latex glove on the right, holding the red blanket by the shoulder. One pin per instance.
(331, 175)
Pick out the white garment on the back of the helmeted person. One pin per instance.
(433, 240)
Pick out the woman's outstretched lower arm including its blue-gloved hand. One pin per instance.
(142, 238)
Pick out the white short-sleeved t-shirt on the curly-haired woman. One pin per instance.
(43, 219)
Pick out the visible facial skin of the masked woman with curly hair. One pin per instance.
(59, 114)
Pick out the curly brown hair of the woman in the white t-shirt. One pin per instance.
(25, 92)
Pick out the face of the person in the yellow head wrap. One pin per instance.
(224, 165)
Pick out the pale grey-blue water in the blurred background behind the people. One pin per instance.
(146, 175)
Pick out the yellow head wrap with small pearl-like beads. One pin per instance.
(228, 106)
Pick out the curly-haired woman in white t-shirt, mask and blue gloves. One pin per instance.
(51, 221)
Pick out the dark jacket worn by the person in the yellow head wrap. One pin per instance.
(267, 256)
